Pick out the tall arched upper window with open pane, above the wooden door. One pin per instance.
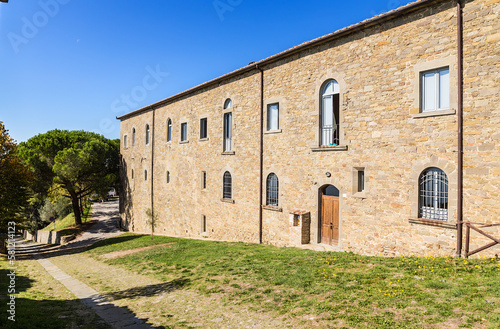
(330, 114)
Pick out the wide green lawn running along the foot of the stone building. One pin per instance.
(338, 289)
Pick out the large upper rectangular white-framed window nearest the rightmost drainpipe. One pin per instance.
(435, 91)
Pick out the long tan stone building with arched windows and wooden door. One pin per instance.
(352, 140)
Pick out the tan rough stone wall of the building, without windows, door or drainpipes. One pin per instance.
(382, 131)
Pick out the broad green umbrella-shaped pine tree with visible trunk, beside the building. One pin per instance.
(78, 162)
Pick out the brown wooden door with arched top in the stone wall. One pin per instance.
(329, 200)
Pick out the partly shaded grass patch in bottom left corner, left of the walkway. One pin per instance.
(41, 301)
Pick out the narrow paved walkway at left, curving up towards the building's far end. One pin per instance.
(106, 227)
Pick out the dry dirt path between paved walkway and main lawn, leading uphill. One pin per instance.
(158, 303)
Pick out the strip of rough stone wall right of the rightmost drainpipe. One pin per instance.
(482, 116)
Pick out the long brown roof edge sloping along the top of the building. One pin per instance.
(291, 51)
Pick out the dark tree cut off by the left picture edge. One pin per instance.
(15, 179)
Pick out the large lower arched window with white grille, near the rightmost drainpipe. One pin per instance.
(433, 194)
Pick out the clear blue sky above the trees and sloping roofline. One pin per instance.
(76, 65)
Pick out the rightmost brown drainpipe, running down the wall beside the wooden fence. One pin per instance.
(460, 128)
